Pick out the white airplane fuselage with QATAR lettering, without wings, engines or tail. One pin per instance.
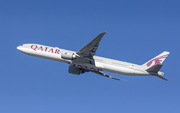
(101, 63)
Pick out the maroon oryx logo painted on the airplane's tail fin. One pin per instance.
(157, 60)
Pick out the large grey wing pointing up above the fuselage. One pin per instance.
(87, 52)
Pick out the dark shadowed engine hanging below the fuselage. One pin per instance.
(75, 70)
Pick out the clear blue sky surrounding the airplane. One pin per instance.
(136, 32)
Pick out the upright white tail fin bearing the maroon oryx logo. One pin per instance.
(156, 60)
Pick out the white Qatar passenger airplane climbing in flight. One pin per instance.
(85, 60)
